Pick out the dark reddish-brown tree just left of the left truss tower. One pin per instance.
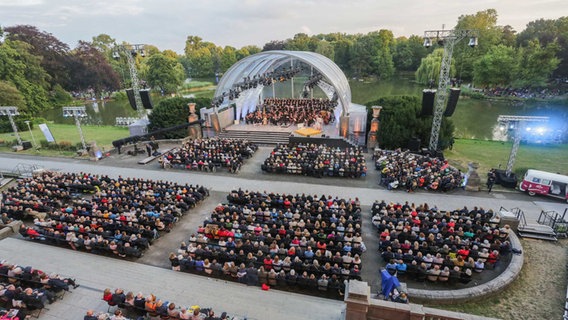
(90, 70)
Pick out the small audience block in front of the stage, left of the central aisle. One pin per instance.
(207, 154)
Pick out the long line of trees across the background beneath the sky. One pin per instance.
(38, 71)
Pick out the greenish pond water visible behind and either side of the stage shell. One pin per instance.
(473, 118)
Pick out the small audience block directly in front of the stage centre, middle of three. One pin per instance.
(316, 160)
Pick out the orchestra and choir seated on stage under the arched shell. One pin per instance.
(284, 111)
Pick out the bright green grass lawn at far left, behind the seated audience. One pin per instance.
(102, 135)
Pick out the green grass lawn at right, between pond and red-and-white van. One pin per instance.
(491, 154)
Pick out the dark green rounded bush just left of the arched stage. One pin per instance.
(173, 112)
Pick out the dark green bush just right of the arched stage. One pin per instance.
(400, 123)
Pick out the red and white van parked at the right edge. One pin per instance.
(545, 183)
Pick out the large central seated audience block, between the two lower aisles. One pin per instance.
(277, 240)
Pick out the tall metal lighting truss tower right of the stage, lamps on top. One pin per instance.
(448, 38)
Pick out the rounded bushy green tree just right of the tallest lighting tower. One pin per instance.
(497, 67)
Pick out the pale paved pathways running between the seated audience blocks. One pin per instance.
(148, 275)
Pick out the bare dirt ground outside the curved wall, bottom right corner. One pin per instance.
(538, 293)
